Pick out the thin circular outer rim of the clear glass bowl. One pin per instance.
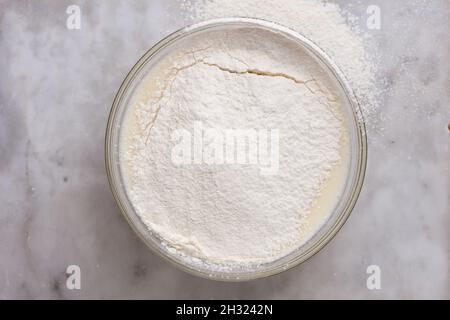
(362, 150)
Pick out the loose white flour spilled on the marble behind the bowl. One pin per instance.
(333, 29)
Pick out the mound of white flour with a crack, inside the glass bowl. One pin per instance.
(231, 214)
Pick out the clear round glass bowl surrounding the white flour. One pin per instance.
(345, 204)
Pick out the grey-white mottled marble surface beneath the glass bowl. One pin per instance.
(56, 209)
